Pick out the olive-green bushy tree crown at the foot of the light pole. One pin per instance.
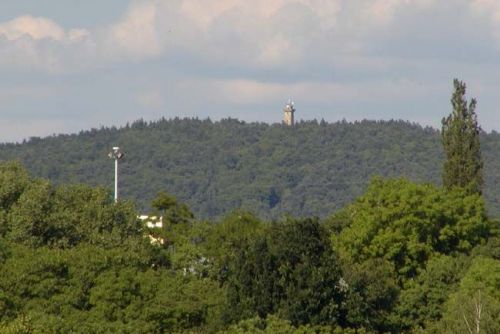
(67, 215)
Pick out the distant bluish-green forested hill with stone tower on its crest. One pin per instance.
(313, 168)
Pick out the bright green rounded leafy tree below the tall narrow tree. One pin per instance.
(407, 223)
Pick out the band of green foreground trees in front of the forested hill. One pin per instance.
(402, 258)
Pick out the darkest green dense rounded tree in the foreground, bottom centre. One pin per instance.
(290, 271)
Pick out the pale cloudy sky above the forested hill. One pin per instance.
(72, 65)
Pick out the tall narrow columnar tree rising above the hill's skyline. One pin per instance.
(463, 166)
